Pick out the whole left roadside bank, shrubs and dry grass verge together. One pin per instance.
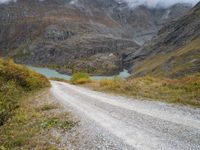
(28, 112)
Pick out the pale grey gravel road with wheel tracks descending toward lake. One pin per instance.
(115, 122)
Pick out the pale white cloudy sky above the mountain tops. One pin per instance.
(149, 3)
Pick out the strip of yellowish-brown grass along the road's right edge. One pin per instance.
(184, 91)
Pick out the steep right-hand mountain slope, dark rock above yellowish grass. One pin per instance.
(174, 52)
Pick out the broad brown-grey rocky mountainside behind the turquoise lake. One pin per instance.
(70, 34)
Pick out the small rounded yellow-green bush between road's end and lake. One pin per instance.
(80, 78)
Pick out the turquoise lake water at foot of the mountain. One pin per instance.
(49, 73)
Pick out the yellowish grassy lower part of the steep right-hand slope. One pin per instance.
(179, 62)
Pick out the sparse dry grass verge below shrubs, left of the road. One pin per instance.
(31, 125)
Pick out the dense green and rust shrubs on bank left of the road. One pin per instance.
(16, 81)
